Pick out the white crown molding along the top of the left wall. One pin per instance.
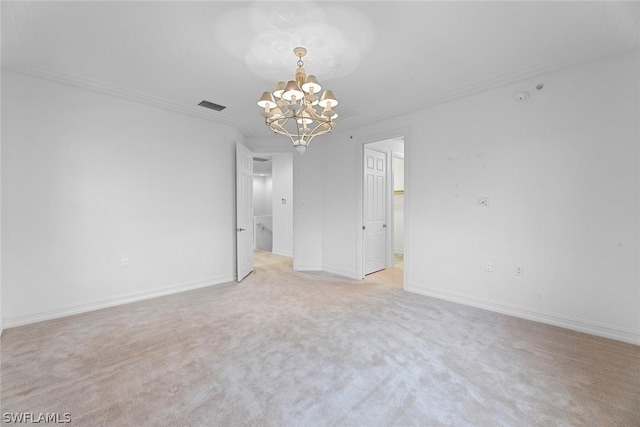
(120, 92)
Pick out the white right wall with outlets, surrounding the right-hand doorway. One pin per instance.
(562, 175)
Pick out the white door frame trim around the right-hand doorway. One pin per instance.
(390, 134)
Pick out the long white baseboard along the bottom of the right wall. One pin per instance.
(521, 312)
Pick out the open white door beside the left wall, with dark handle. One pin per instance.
(244, 211)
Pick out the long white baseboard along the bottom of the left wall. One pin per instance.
(25, 319)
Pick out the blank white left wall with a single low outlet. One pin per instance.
(89, 179)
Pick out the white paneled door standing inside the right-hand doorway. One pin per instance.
(375, 210)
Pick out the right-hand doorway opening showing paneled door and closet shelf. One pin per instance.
(383, 211)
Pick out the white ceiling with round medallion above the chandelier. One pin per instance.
(379, 58)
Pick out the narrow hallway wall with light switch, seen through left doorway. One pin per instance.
(282, 170)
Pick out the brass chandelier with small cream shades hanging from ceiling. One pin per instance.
(298, 112)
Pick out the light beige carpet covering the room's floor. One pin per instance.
(286, 348)
